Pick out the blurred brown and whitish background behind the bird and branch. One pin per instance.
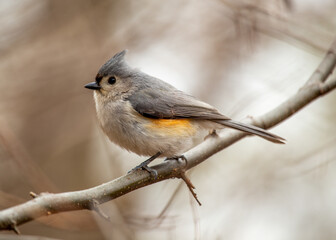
(244, 57)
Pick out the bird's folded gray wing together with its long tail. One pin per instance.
(174, 104)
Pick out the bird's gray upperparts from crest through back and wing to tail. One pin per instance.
(154, 98)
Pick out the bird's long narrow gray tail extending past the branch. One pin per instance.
(253, 130)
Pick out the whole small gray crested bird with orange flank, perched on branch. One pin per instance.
(150, 117)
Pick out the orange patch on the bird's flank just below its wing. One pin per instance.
(172, 127)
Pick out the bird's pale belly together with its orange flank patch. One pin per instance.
(145, 136)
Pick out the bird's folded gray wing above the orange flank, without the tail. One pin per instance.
(172, 104)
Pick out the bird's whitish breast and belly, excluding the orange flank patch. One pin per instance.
(128, 129)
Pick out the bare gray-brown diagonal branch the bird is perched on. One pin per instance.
(48, 203)
